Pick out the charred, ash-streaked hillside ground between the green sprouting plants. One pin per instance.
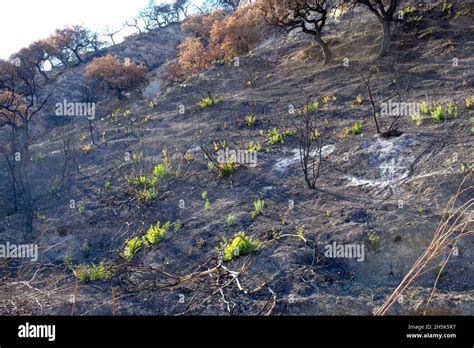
(386, 194)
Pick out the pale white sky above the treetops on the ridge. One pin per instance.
(25, 21)
